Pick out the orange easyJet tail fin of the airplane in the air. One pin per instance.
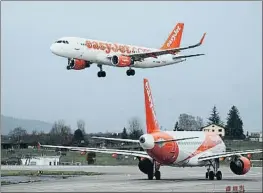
(174, 39)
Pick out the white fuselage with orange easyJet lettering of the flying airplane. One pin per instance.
(96, 51)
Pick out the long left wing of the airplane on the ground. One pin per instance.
(101, 150)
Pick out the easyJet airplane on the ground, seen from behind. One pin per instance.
(175, 148)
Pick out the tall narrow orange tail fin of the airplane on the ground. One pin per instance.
(151, 121)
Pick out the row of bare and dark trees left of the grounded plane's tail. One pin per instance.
(61, 134)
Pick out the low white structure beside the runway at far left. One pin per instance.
(41, 161)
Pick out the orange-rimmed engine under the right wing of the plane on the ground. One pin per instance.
(240, 166)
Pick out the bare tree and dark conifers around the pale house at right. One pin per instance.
(233, 126)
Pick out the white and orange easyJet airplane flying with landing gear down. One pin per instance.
(81, 53)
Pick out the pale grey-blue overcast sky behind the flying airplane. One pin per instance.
(36, 84)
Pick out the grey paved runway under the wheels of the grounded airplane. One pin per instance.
(129, 178)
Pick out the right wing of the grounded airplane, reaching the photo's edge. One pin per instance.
(228, 154)
